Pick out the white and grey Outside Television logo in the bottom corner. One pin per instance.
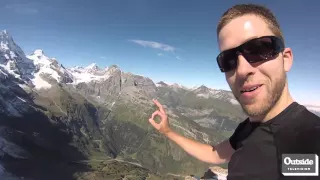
(300, 165)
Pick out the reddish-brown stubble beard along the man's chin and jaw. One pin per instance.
(262, 106)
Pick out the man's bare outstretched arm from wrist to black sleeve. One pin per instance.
(218, 154)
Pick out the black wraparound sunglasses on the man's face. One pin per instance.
(255, 50)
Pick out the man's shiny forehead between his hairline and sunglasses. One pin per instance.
(242, 29)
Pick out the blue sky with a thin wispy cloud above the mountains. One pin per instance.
(122, 31)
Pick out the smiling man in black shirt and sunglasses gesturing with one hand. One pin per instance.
(255, 62)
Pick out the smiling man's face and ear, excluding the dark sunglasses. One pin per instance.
(271, 75)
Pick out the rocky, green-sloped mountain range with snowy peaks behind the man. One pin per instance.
(92, 123)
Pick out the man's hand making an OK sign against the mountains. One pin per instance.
(163, 126)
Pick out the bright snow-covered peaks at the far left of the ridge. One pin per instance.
(41, 72)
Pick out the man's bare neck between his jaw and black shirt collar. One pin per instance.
(284, 101)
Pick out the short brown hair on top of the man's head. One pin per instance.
(255, 9)
